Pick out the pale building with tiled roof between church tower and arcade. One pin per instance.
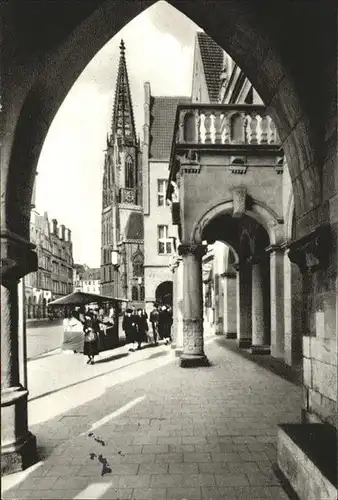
(159, 232)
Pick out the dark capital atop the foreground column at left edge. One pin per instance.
(18, 257)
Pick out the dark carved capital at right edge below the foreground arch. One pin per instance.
(311, 252)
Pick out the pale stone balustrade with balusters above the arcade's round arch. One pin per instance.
(205, 124)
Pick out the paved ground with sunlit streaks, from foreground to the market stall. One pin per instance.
(139, 427)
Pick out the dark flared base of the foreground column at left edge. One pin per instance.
(19, 456)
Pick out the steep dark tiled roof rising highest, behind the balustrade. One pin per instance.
(213, 62)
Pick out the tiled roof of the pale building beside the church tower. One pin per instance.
(162, 120)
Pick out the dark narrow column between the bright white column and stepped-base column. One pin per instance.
(243, 304)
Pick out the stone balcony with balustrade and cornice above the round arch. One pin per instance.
(233, 130)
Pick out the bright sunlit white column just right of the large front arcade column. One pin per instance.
(229, 305)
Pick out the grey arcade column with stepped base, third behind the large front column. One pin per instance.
(259, 343)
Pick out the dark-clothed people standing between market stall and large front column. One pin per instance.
(135, 326)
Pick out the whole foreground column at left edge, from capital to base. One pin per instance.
(18, 445)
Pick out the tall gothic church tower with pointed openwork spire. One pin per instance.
(122, 252)
